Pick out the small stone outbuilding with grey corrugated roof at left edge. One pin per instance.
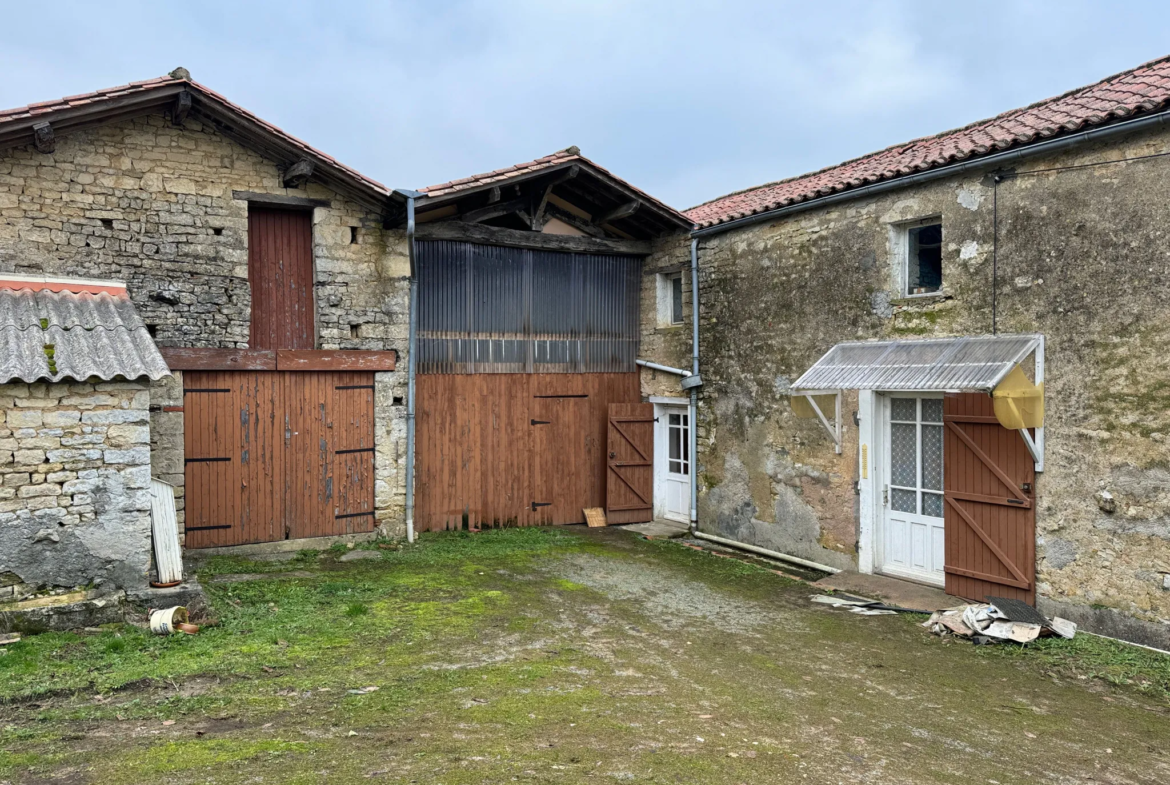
(77, 363)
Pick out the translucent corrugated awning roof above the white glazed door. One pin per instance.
(966, 364)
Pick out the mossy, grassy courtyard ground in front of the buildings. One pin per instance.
(536, 656)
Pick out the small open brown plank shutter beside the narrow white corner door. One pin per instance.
(630, 467)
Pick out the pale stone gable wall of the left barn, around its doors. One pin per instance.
(153, 205)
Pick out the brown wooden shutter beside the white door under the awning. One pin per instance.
(989, 480)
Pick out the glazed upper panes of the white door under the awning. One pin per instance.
(917, 456)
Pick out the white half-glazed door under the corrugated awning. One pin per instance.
(913, 490)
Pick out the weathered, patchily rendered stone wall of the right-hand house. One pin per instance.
(1082, 258)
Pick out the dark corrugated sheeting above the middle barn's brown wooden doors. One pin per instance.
(486, 309)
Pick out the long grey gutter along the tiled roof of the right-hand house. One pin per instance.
(993, 161)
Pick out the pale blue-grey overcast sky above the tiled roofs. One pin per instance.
(686, 100)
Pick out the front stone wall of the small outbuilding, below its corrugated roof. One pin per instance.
(75, 484)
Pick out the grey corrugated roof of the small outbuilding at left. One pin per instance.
(92, 336)
